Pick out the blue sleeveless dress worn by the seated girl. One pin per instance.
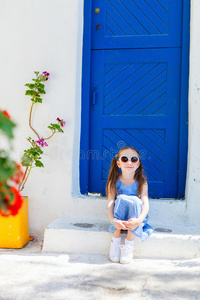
(127, 206)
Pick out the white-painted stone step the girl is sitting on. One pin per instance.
(92, 237)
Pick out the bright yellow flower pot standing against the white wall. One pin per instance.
(14, 230)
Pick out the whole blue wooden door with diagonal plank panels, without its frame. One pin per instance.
(135, 89)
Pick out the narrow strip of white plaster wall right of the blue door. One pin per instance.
(193, 174)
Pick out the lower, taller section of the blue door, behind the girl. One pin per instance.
(136, 103)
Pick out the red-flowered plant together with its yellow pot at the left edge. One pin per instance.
(13, 208)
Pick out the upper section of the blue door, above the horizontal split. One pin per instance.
(136, 24)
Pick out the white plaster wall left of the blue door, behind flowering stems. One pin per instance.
(43, 36)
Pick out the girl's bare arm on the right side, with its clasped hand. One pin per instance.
(135, 222)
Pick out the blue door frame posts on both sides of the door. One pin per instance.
(86, 96)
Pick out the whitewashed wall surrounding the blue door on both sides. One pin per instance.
(47, 36)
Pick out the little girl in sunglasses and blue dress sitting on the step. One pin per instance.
(128, 203)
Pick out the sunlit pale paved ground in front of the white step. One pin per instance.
(28, 274)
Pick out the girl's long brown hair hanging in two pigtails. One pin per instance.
(114, 174)
